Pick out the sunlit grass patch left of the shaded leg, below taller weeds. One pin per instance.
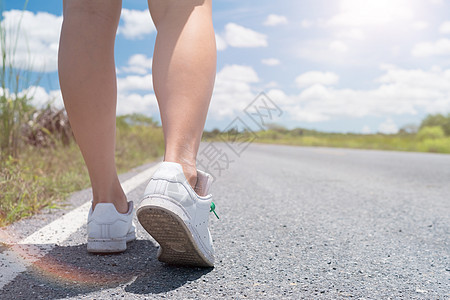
(39, 178)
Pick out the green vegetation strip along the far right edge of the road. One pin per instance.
(432, 135)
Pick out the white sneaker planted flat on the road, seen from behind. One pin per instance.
(108, 230)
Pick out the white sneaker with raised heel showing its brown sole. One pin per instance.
(177, 217)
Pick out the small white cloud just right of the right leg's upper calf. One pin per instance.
(242, 37)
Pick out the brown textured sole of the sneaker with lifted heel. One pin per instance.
(177, 245)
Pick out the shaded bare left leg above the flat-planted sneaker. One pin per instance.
(88, 84)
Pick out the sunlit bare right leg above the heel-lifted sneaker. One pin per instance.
(184, 67)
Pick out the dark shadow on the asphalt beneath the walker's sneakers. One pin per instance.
(70, 271)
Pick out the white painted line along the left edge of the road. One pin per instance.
(28, 250)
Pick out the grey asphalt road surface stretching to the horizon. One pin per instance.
(312, 223)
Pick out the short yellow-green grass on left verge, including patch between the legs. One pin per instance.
(44, 177)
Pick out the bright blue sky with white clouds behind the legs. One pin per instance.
(343, 65)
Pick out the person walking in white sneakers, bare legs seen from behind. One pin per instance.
(176, 204)
